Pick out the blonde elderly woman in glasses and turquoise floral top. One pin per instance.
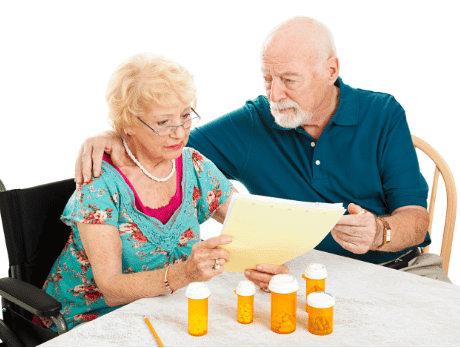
(136, 229)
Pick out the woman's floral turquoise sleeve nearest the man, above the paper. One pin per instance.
(212, 189)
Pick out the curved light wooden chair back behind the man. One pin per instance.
(451, 194)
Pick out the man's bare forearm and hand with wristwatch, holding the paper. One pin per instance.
(360, 233)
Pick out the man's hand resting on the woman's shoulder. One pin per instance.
(91, 151)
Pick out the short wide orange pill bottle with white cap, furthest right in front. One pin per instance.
(320, 313)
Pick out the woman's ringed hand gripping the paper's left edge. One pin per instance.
(200, 264)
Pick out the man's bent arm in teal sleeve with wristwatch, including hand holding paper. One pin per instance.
(404, 189)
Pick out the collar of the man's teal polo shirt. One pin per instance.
(347, 112)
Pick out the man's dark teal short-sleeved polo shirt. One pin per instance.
(365, 156)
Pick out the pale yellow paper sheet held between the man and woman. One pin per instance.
(267, 230)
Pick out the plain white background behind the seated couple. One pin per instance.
(57, 57)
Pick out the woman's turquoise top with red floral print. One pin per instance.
(147, 244)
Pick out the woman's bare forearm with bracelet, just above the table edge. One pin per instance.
(122, 289)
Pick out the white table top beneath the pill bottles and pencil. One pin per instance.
(374, 306)
